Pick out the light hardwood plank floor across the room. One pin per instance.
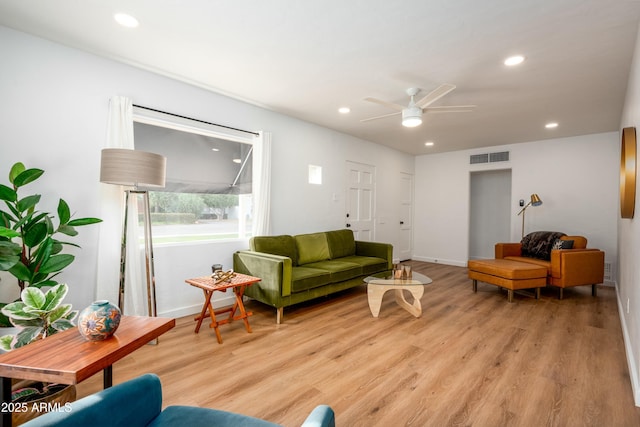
(471, 359)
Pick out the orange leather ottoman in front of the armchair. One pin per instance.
(511, 275)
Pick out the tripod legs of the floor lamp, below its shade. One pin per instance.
(148, 253)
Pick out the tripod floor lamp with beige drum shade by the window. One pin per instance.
(135, 168)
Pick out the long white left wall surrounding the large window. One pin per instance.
(54, 108)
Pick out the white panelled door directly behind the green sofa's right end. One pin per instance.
(360, 201)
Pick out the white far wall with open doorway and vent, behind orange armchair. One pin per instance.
(576, 178)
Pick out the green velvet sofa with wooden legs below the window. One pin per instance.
(299, 268)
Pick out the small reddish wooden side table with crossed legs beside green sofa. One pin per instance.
(238, 283)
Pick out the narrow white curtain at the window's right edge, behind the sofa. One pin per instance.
(262, 185)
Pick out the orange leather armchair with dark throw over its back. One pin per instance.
(578, 266)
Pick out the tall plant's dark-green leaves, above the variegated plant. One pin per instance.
(29, 247)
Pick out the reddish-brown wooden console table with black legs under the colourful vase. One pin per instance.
(67, 358)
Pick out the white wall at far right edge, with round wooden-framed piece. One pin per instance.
(629, 244)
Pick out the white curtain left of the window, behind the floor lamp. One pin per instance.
(120, 135)
